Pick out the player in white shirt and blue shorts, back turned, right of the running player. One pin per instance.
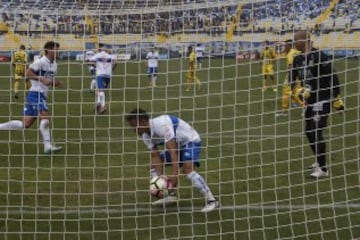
(105, 64)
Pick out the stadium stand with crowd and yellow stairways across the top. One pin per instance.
(207, 21)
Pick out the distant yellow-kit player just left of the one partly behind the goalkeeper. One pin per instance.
(268, 56)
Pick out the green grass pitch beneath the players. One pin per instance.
(97, 188)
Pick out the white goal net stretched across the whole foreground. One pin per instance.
(254, 161)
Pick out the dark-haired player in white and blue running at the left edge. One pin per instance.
(41, 74)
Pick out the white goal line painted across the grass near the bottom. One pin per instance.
(120, 210)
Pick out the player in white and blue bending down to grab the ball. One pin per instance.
(182, 149)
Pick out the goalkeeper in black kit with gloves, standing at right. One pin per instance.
(320, 89)
